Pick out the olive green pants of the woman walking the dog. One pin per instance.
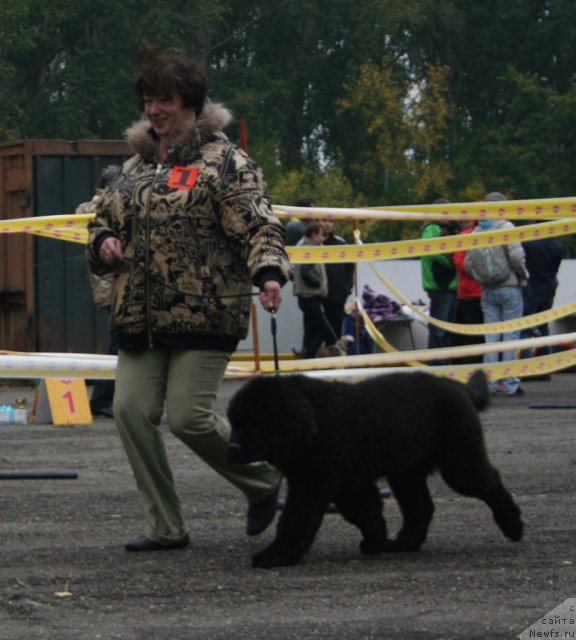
(185, 384)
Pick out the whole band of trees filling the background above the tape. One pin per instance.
(402, 101)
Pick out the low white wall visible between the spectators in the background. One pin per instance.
(405, 276)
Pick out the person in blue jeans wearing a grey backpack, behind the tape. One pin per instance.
(502, 275)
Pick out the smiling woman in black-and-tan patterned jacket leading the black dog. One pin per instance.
(188, 230)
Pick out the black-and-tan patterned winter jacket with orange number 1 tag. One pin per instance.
(197, 233)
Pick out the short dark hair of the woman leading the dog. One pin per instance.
(171, 71)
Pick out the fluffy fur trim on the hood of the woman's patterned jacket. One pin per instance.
(213, 118)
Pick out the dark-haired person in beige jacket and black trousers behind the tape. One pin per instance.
(310, 287)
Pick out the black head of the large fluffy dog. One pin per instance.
(271, 420)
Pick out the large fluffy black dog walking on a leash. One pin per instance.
(334, 440)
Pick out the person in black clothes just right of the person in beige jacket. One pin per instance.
(340, 282)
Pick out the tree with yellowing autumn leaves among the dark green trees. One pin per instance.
(403, 150)
